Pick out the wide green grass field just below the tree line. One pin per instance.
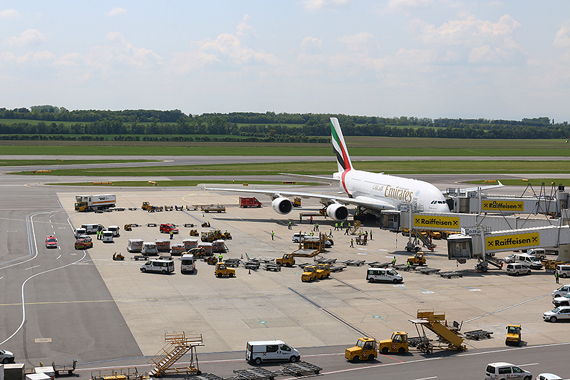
(358, 146)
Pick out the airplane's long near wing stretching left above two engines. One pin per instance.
(371, 203)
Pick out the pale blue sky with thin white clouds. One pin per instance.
(417, 58)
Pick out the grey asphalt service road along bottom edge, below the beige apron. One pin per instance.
(469, 365)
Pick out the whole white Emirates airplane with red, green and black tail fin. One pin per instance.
(371, 191)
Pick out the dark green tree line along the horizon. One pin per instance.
(138, 125)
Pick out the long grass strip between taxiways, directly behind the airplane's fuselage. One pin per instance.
(388, 167)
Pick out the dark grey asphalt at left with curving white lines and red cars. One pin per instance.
(54, 304)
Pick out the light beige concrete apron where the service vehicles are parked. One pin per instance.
(261, 305)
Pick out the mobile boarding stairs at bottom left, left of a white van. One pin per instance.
(178, 345)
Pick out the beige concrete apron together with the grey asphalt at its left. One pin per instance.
(115, 311)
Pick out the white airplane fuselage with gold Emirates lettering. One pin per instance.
(393, 191)
